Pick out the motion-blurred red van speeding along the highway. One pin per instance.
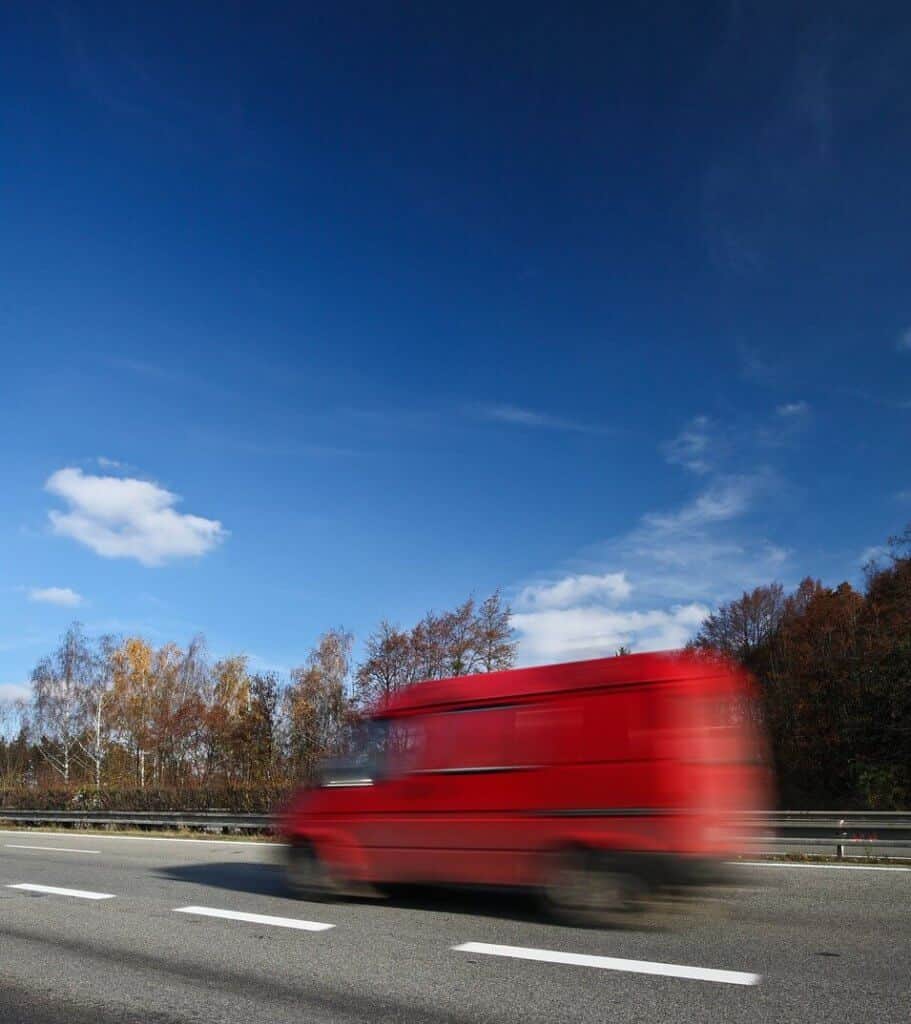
(601, 784)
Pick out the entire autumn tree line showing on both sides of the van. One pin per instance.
(122, 719)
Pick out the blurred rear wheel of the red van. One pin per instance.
(585, 888)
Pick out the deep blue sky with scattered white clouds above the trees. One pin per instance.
(311, 318)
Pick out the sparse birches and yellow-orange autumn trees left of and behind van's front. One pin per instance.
(121, 714)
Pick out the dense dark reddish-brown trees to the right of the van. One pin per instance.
(834, 668)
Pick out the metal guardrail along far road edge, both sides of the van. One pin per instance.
(862, 831)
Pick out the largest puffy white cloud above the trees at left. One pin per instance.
(123, 518)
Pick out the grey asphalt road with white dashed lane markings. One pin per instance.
(798, 944)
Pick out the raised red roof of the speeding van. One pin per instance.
(491, 688)
